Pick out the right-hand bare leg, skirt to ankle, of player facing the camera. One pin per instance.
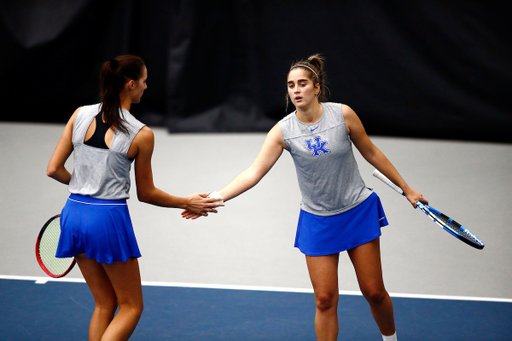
(367, 264)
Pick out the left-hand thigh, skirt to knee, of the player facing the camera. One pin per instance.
(323, 271)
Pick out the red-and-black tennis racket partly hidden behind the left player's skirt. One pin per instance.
(46, 247)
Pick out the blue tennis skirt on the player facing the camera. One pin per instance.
(320, 236)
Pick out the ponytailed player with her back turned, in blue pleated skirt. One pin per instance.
(95, 222)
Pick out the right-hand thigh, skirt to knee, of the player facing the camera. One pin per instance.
(367, 264)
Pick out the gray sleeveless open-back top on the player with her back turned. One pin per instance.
(102, 173)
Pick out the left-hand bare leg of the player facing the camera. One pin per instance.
(323, 271)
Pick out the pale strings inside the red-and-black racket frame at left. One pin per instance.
(48, 249)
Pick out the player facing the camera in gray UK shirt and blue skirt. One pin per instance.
(338, 212)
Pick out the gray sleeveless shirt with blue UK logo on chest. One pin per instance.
(328, 175)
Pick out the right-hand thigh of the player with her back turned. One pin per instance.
(125, 280)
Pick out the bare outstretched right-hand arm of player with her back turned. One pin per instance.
(142, 146)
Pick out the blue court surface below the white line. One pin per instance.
(61, 311)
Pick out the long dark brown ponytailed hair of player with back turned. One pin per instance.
(114, 74)
